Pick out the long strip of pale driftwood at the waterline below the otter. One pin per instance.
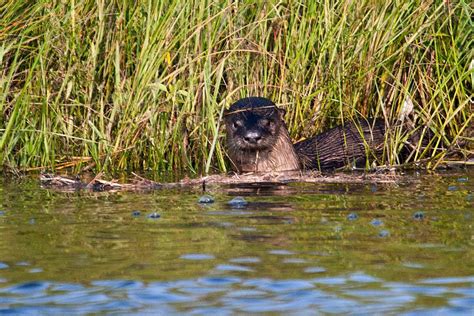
(138, 183)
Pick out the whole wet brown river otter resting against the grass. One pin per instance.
(258, 140)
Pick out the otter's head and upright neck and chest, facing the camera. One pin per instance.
(257, 137)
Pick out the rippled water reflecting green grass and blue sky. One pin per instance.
(302, 249)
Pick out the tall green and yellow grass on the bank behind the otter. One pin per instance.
(125, 85)
